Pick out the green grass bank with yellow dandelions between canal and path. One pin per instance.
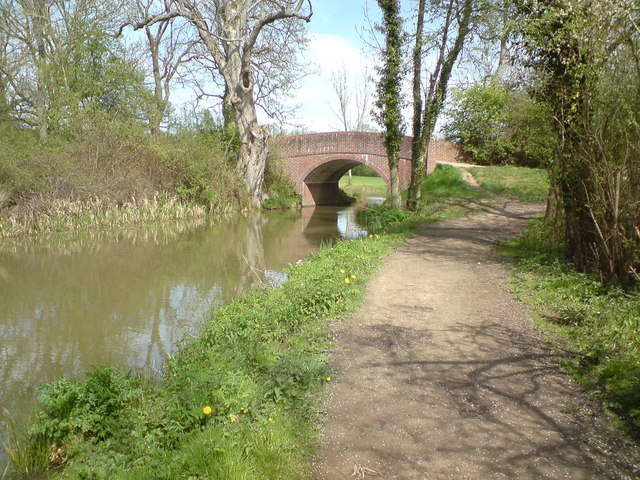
(260, 364)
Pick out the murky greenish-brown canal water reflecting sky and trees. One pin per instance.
(127, 298)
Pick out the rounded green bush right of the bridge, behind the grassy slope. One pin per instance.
(500, 126)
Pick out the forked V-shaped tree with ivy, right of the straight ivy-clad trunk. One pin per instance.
(455, 19)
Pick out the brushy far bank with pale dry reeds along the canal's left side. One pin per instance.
(112, 175)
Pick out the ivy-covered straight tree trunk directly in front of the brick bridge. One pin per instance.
(389, 91)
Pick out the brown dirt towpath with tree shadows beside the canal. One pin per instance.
(439, 376)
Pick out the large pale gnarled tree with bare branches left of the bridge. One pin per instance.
(230, 30)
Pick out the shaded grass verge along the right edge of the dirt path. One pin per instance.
(598, 324)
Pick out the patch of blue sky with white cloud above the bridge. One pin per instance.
(334, 42)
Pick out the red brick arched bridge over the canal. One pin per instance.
(317, 161)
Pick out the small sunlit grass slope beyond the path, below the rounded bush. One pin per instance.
(529, 185)
